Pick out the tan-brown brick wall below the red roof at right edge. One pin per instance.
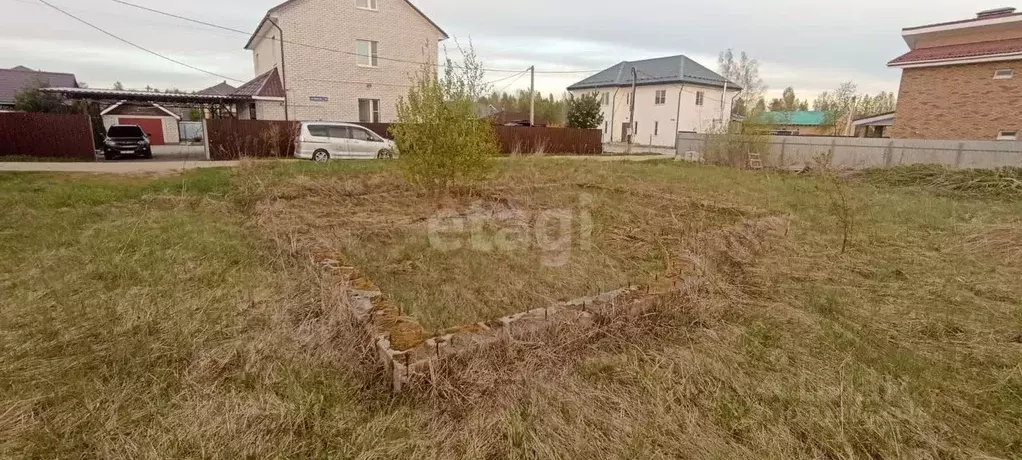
(959, 103)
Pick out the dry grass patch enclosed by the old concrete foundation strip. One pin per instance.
(382, 226)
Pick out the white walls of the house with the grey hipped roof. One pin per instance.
(659, 125)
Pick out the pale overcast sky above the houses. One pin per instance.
(810, 45)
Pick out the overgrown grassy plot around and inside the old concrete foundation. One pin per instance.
(179, 316)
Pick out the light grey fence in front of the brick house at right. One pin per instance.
(854, 153)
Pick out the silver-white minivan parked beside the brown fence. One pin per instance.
(321, 142)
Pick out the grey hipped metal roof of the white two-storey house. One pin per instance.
(656, 72)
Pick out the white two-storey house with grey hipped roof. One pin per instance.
(673, 95)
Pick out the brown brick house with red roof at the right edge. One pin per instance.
(962, 80)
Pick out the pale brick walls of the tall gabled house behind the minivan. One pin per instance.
(402, 33)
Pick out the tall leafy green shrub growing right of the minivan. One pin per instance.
(441, 140)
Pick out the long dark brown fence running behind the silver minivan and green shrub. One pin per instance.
(233, 140)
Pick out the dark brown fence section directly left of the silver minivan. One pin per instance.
(235, 140)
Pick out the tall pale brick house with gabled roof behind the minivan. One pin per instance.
(343, 61)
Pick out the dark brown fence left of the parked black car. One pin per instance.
(47, 136)
